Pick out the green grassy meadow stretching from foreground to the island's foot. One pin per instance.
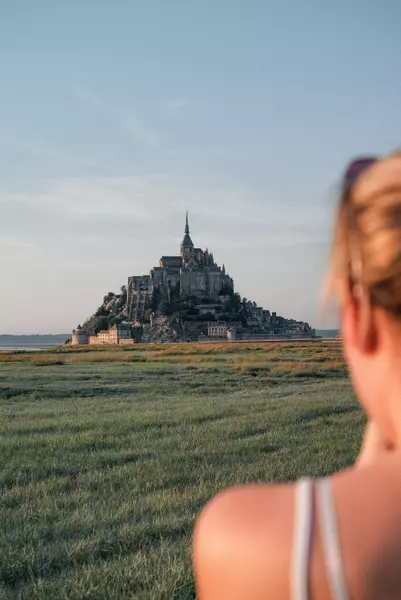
(107, 455)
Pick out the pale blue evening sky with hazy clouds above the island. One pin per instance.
(117, 116)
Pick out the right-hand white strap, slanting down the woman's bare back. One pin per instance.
(330, 540)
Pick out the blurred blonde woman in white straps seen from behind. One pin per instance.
(337, 538)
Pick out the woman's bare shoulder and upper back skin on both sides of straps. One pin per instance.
(243, 538)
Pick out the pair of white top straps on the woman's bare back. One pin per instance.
(303, 535)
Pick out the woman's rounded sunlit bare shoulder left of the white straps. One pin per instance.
(242, 541)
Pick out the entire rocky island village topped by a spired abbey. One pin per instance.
(187, 297)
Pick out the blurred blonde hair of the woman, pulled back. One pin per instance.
(366, 252)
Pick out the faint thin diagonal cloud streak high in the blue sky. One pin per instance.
(129, 122)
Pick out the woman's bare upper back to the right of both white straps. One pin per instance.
(367, 502)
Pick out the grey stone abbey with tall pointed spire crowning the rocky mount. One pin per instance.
(193, 273)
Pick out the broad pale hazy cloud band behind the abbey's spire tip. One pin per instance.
(225, 218)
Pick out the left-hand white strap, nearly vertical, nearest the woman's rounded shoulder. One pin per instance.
(302, 539)
